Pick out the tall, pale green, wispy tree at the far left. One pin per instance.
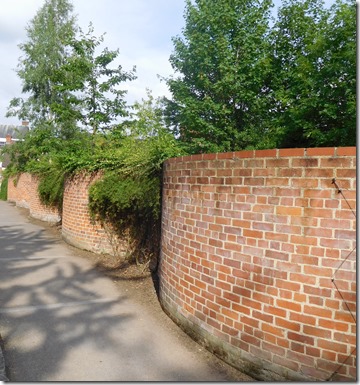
(45, 51)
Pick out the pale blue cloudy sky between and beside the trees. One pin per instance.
(140, 29)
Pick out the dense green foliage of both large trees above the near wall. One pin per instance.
(243, 84)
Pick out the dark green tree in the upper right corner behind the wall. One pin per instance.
(314, 74)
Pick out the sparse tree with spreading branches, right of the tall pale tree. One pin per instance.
(90, 88)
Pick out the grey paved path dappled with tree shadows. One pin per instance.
(62, 320)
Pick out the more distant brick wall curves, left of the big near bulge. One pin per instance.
(78, 228)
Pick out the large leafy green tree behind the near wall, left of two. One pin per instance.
(219, 98)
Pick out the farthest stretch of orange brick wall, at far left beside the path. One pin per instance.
(23, 190)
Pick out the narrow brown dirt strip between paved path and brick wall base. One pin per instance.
(139, 284)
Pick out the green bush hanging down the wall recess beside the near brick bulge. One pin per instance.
(132, 207)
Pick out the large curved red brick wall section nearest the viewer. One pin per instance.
(252, 242)
